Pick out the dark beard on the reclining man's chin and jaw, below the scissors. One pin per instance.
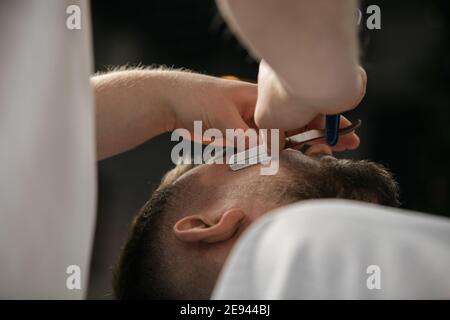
(326, 177)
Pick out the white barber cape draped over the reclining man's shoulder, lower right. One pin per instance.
(335, 249)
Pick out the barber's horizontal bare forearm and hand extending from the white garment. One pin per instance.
(137, 105)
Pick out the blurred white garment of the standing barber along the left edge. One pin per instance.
(47, 150)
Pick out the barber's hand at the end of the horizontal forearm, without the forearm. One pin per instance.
(219, 103)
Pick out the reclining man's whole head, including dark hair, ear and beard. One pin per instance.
(184, 233)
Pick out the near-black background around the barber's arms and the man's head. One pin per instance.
(405, 112)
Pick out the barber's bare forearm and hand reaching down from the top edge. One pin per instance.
(310, 61)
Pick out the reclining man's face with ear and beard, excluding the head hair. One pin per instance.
(219, 204)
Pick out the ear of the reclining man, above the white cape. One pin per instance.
(198, 228)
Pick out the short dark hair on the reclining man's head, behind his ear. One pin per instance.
(140, 263)
